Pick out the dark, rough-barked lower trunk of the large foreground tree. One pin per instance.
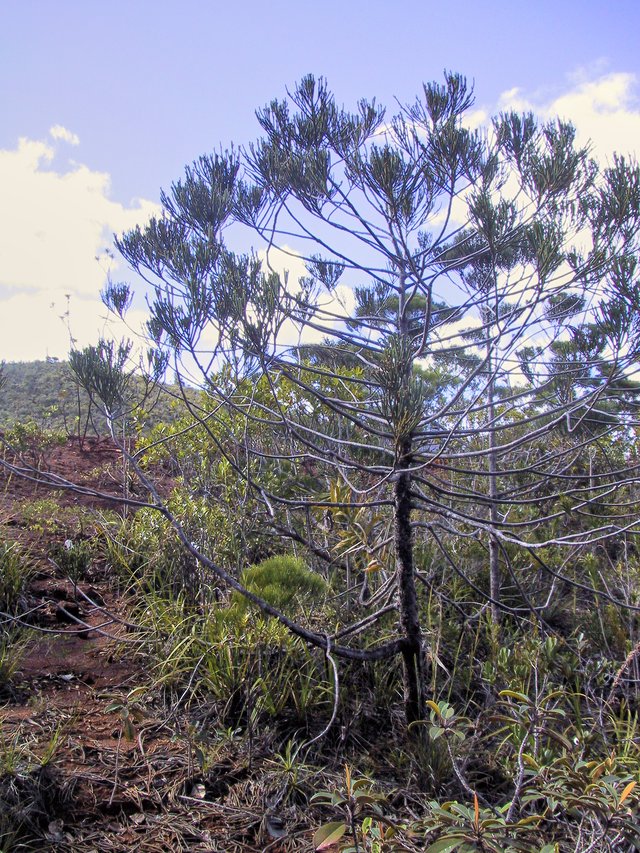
(412, 649)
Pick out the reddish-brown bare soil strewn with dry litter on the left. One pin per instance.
(84, 764)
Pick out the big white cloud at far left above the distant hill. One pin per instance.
(53, 225)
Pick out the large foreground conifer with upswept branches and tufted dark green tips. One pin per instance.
(461, 341)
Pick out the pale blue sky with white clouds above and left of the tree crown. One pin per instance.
(103, 104)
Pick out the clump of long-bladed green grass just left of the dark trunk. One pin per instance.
(251, 670)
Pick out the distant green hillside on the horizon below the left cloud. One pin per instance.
(45, 391)
